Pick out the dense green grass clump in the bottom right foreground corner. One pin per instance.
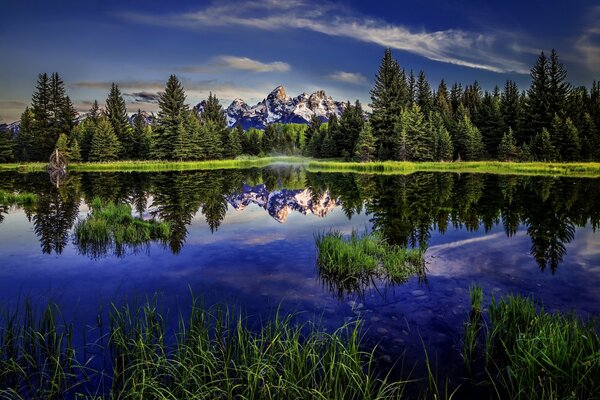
(532, 354)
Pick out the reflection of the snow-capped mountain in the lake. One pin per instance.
(279, 203)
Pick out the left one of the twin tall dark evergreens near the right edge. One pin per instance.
(538, 101)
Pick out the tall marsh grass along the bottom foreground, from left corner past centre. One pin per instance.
(213, 354)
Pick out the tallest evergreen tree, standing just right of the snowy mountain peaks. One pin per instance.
(386, 103)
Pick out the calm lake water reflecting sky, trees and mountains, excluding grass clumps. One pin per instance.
(245, 238)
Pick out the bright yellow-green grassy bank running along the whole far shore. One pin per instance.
(581, 170)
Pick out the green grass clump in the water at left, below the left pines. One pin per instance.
(112, 225)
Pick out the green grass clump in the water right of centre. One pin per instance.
(351, 263)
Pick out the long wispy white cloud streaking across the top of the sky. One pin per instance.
(484, 51)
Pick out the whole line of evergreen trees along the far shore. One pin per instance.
(550, 121)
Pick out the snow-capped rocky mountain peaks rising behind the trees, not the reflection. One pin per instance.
(279, 107)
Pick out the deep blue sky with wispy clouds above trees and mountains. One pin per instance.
(246, 48)
